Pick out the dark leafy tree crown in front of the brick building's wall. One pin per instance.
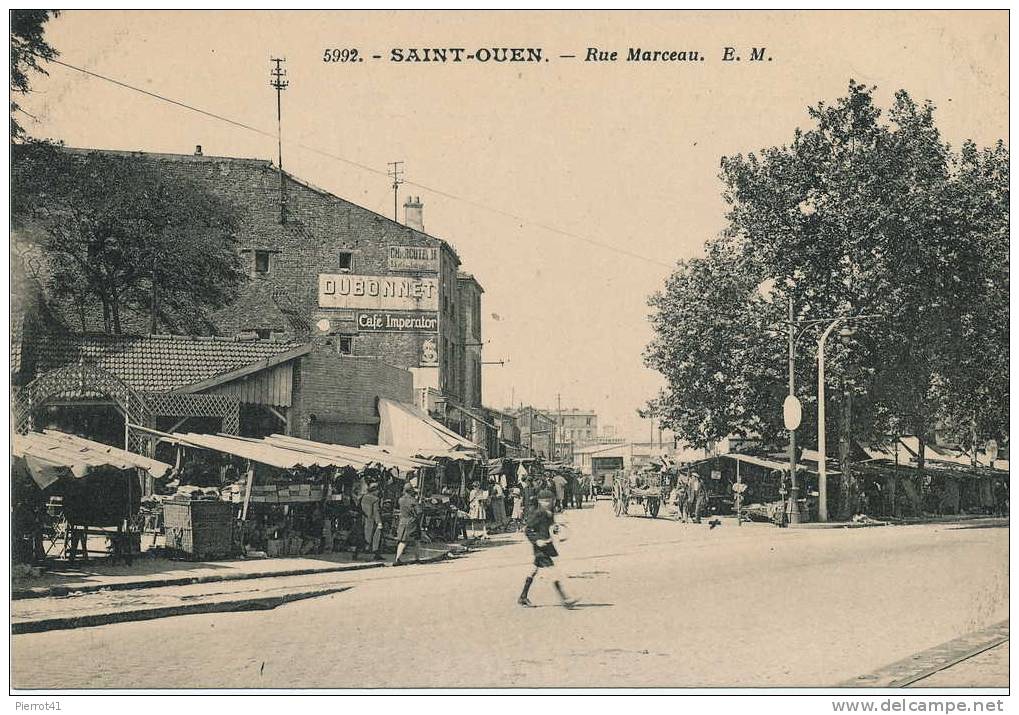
(121, 236)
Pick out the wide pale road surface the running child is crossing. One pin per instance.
(666, 604)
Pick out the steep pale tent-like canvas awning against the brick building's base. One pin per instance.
(407, 430)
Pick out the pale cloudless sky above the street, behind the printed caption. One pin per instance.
(623, 155)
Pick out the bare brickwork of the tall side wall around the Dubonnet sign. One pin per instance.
(319, 227)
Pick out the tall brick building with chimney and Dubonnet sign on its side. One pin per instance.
(328, 271)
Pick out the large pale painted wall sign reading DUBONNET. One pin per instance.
(379, 293)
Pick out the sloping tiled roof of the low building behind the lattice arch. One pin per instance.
(155, 363)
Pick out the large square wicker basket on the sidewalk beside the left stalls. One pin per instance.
(199, 530)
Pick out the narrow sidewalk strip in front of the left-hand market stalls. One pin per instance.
(157, 573)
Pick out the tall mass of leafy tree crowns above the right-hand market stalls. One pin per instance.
(859, 214)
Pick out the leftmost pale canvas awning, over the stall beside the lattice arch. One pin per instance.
(49, 455)
